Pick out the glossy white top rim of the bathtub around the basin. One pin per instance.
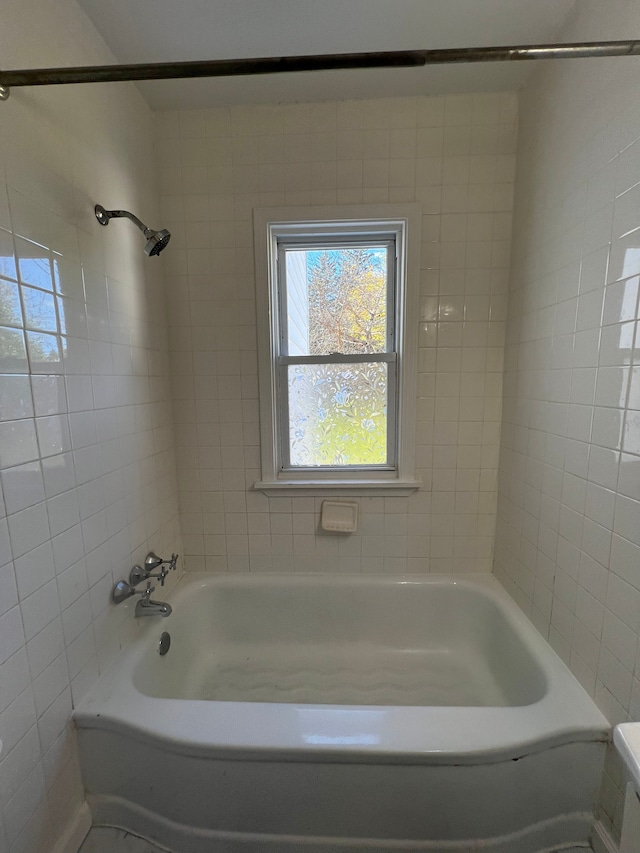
(456, 735)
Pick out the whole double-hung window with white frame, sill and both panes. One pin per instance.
(336, 296)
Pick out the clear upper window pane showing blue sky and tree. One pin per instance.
(337, 301)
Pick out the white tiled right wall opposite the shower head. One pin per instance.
(567, 541)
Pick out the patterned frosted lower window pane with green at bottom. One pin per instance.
(337, 414)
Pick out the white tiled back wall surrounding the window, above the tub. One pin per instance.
(453, 154)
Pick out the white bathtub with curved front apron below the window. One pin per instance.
(323, 713)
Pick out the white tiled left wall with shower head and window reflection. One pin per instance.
(87, 479)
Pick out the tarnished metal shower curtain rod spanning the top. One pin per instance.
(319, 62)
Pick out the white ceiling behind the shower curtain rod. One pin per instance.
(179, 30)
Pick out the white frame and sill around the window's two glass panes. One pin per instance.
(276, 226)
